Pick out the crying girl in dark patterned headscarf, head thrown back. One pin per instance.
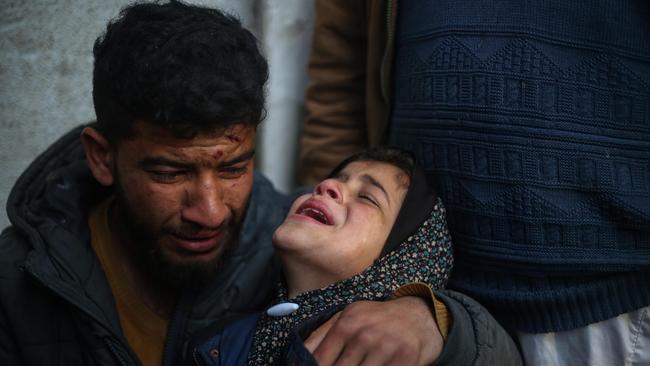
(371, 231)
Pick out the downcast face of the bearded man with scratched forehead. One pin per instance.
(181, 201)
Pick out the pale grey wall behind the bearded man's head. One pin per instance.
(46, 74)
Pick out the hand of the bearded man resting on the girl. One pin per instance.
(396, 332)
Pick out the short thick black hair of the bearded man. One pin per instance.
(185, 68)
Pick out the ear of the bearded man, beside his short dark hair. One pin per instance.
(99, 154)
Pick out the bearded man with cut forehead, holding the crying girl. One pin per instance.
(153, 224)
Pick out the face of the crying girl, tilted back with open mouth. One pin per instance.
(342, 226)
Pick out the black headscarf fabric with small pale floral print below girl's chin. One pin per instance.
(425, 256)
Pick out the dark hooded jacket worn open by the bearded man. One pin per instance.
(56, 307)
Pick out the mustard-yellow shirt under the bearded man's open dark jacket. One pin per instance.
(144, 329)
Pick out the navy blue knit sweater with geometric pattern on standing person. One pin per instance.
(534, 119)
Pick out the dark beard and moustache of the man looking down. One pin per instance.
(161, 267)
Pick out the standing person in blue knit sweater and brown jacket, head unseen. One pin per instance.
(533, 121)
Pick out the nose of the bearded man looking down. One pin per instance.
(204, 204)
